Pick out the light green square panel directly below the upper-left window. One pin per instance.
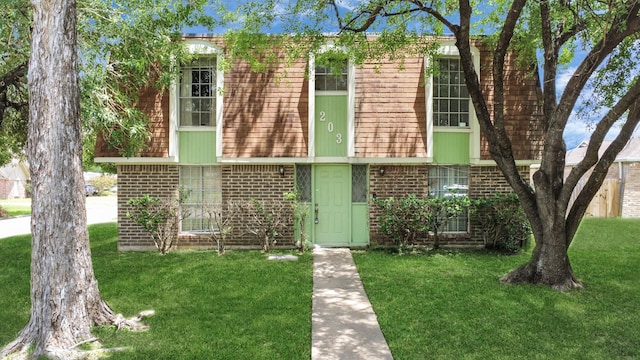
(197, 147)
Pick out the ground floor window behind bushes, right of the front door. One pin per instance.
(451, 181)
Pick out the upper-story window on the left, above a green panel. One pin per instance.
(198, 92)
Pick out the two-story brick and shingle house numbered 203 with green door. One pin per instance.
(341, 140)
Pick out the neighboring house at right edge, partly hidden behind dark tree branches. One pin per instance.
(620, 192)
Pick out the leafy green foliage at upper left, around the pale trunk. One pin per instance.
(122, 45)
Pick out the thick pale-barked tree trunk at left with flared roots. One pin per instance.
(65, 300)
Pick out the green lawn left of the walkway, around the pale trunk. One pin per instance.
(240, 306)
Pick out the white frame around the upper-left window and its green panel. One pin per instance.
(204, 48)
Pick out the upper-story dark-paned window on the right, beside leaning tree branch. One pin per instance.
(450, 94)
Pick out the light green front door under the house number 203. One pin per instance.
(332, 205)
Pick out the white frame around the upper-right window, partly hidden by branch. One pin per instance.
(448, 49)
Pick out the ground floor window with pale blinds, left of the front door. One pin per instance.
(203, 185)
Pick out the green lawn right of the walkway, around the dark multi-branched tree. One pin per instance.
(450, 305)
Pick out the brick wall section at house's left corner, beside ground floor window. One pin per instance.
(134, 181)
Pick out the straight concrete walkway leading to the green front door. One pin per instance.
(344, 325)
